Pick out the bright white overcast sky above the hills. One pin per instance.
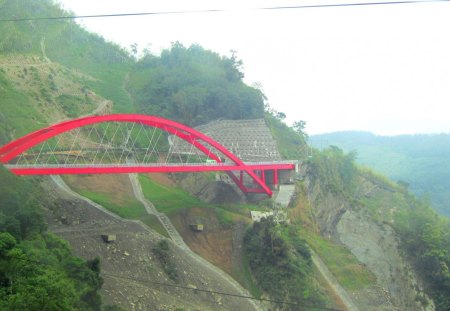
(384, 68)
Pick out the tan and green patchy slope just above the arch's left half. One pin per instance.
(36, 93)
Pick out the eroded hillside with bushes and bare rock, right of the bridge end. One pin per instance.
(383, 226)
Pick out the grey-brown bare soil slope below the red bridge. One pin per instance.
(133, 277)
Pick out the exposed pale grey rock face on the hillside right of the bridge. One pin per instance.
(374, 244)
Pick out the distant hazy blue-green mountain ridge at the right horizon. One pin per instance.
(421, 160)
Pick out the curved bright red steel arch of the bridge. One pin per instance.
(192, 136)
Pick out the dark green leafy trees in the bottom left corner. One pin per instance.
(37, 269)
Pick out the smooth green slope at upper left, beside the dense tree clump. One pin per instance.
(65, 42)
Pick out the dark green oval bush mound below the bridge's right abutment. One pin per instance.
(281, 264)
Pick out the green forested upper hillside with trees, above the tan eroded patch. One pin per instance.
(187, 84)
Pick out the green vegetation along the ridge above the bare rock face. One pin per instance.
(425, 236)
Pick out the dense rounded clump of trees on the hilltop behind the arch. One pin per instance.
(193, 86)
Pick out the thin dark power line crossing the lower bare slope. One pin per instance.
(220, 293)
